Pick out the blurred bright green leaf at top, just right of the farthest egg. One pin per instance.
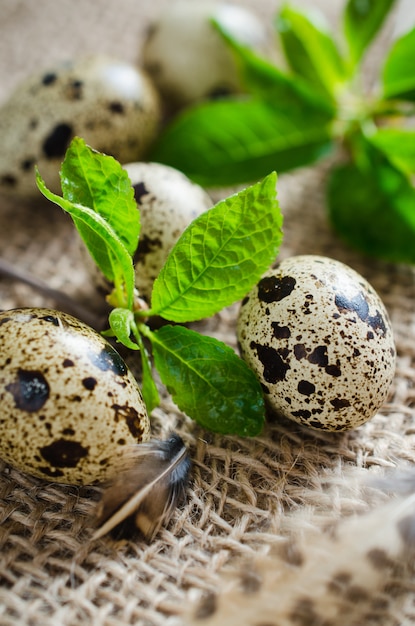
(310, 49)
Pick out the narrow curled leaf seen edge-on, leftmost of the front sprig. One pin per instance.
(109, 248)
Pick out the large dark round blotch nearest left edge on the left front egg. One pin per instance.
(30, 390)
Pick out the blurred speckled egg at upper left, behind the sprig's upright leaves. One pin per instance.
(111, 104)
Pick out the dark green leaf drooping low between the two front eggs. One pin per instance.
(208, 381)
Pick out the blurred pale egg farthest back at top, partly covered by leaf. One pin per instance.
(186, 56)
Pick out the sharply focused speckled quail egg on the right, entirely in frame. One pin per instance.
(320, 341)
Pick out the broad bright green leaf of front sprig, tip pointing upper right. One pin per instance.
(220, 255)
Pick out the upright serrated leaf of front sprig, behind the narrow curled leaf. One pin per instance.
(99, 182)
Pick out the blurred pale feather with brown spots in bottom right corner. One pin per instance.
(346, 574)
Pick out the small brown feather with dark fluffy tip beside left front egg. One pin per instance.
(150, 483)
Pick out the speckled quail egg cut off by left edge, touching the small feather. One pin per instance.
(68, 403)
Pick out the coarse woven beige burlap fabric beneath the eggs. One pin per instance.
(243, 492)
